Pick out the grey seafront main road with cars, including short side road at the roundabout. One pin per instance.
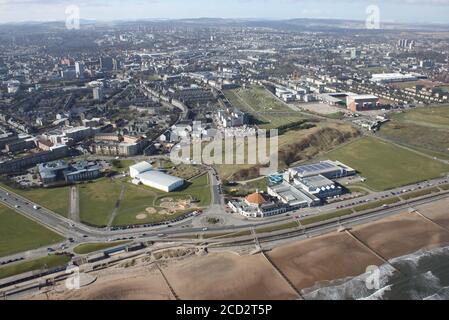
(81, 232)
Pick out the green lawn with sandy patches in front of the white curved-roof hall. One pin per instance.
(138, 198)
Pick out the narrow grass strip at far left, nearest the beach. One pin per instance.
(48, 262)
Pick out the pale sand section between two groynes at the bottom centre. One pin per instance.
(228, 276)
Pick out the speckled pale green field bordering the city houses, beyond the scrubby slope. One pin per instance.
(263, 106)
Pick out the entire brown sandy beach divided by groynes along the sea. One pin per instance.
(226, 275)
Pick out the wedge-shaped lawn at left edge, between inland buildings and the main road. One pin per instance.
(54, 199)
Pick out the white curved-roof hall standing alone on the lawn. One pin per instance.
(143, 173)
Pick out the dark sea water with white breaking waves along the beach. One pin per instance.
(423, 275)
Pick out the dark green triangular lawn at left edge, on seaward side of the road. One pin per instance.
(18, 234)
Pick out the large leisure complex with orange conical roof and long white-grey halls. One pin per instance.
(300, 187)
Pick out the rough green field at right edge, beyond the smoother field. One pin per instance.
(426, 129)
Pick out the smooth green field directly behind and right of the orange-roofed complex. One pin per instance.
(386, 166)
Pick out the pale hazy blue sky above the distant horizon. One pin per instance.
(401, 11)
